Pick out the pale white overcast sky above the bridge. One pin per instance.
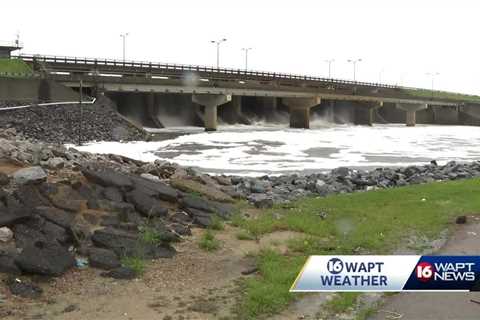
(398, 41)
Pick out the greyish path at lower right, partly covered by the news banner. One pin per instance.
(440, 306)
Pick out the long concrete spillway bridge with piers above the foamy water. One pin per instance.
(144, 90)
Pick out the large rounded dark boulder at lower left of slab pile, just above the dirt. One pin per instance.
(45, 258)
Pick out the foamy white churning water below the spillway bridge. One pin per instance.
(259, 150)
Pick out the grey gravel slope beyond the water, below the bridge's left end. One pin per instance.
(69, 123)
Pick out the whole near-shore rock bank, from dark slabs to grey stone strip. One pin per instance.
(61, 208)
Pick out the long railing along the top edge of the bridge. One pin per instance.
(152, 66)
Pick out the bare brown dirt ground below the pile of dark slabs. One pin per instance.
(193, 285)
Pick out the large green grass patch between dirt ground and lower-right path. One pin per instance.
(376, 222)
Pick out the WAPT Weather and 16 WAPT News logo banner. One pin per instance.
(384, 273)
